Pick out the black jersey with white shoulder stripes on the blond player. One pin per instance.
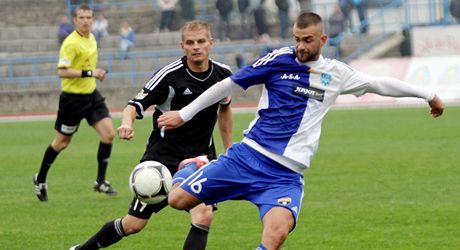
(171, 88)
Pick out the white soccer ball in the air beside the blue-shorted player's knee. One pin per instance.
(150, 182)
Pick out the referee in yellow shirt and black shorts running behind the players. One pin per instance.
(79, 99)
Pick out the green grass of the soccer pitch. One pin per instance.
(382, 179)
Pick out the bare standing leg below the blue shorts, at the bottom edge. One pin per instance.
(277, 223)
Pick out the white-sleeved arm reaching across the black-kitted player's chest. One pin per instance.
(174, 119)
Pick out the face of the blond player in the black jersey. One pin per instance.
(196, 45)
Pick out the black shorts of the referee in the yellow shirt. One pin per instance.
(74, 107)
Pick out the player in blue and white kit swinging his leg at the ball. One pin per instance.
(299, 88)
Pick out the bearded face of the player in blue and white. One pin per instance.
(308, 42)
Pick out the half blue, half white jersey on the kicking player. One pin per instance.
(295, 98)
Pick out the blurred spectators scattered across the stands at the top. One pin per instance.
(244, 19)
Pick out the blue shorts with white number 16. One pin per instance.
(246, 174)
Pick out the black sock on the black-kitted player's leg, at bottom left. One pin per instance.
(109, 234)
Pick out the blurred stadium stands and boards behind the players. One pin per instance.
(413, 40)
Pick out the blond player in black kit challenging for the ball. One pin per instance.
(171, 88)
